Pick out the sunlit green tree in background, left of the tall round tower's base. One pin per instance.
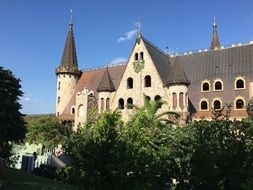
(48, 131)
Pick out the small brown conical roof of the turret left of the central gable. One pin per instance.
(106, 84)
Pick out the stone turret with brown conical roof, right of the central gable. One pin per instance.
(177, 84)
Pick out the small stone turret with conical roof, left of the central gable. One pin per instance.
(105, 91)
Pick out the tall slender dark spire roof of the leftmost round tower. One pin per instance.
(69, 63)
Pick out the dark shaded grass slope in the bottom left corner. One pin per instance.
(16, 179)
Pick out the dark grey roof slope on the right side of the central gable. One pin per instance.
(159, 58)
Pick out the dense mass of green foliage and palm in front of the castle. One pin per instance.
(149, 152)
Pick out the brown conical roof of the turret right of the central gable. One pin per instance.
(177, 75)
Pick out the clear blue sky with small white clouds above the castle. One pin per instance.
(33, 34)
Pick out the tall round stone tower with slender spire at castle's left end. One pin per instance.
(67, 72)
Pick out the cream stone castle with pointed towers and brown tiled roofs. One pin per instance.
(191, 83)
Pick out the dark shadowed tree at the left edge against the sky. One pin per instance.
(12, 126)
